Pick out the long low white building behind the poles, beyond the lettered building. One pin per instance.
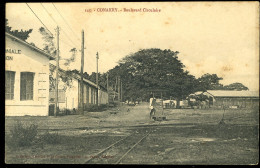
(69, 96)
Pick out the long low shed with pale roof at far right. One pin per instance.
(233, 99)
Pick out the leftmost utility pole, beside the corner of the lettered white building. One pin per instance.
(57, 74)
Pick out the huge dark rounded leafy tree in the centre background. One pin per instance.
(153, 69)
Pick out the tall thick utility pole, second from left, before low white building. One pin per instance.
(81, 73)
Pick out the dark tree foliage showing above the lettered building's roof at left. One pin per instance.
(22, 34)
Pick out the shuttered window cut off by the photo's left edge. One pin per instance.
(9, 85)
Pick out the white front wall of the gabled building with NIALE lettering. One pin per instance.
(28, 61)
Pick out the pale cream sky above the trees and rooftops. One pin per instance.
(212, 37)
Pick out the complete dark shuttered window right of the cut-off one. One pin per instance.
(26, 85)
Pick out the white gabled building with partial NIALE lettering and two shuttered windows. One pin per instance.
(26, 78)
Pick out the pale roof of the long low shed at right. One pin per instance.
(232, 93)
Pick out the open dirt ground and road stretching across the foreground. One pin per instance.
(186, 137)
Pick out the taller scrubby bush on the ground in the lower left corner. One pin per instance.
(22, 135)
